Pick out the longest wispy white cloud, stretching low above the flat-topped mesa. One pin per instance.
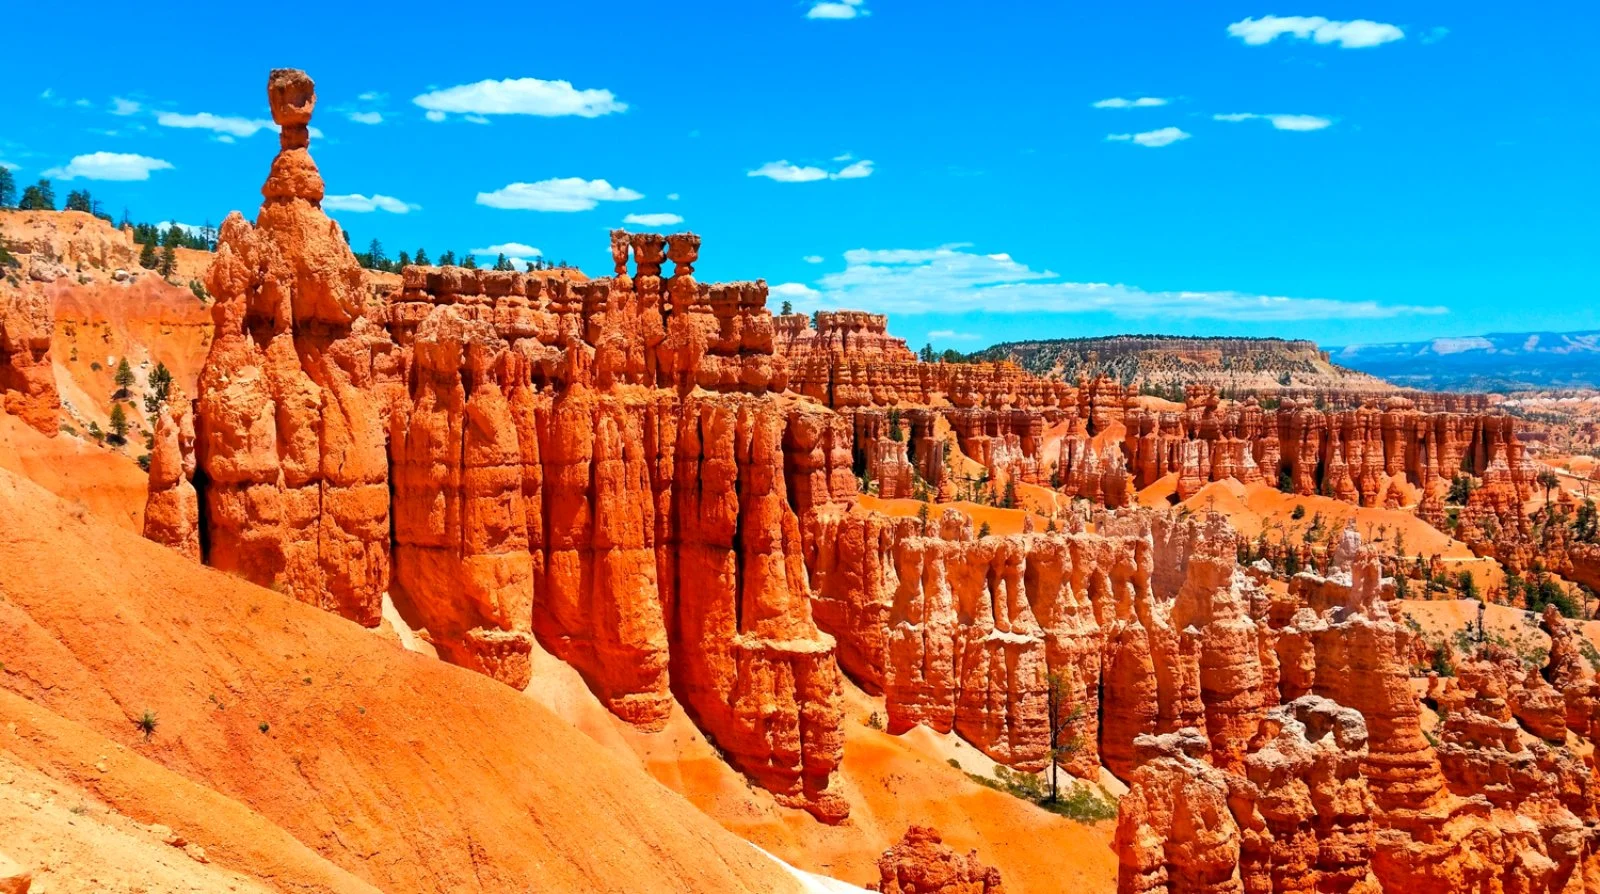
(954, 279)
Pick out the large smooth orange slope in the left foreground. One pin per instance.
(302, 749)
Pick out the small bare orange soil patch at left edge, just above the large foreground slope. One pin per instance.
(78, 471)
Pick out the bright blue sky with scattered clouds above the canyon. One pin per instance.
(1342, 172)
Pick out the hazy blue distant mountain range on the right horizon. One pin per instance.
(1482, 364)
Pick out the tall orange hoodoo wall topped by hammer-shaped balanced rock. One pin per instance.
(599, 465)
